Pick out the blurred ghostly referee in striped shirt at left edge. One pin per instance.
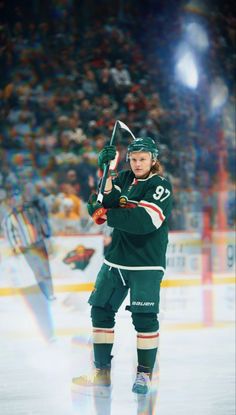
(26, 226)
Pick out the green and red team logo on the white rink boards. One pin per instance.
(79, 257)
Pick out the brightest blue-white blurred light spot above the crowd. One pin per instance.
(186, 67)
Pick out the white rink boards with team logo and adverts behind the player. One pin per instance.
(75, 261)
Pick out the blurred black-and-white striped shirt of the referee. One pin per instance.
(25, 226)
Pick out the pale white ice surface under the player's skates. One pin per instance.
(42, 348)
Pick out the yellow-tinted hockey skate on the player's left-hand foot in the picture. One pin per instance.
(98, 383)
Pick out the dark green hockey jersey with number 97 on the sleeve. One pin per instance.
(138, 210)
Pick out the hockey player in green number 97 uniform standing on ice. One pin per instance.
(137, 205)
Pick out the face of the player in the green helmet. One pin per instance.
(141, 164)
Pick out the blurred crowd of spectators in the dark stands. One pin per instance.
(64, 83)
